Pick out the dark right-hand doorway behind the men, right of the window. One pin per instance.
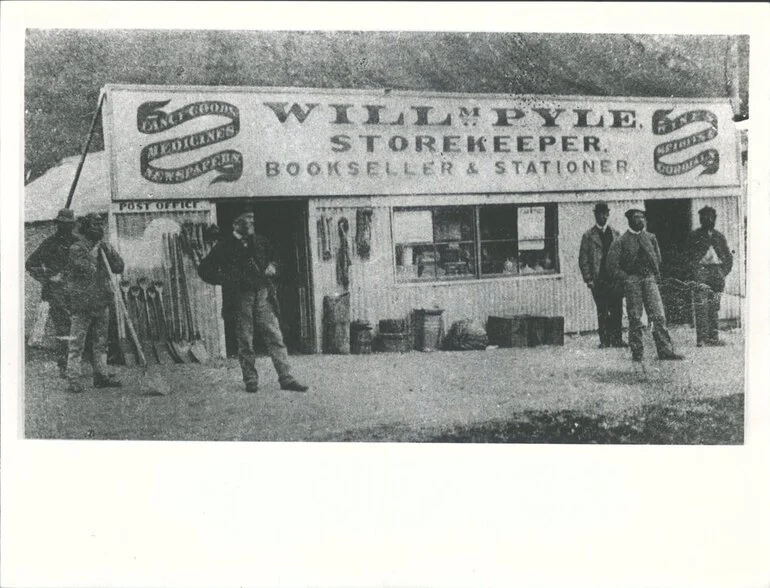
(671, 222)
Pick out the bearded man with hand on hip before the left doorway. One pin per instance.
(246, 263)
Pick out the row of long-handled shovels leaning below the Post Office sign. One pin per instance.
(159, 314)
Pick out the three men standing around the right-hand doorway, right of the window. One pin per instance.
(615, 266)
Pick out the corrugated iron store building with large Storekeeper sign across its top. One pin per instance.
(470, 203)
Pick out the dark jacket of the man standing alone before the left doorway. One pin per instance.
(233, 264)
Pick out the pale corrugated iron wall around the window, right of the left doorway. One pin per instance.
(375, 294)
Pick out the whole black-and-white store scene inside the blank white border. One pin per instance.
(385, 236)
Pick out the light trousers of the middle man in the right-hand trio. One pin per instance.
(642, 294)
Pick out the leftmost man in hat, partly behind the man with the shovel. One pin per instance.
(46, 265)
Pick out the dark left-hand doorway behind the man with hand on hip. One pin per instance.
(284, 223)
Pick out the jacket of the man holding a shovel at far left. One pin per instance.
(87, 277)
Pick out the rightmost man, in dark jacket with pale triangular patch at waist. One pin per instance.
(709, 261)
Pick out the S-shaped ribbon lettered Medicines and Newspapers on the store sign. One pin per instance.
(150, 119)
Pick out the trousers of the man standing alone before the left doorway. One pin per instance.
(256, 306)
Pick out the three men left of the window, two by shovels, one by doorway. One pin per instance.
(76, 272)
